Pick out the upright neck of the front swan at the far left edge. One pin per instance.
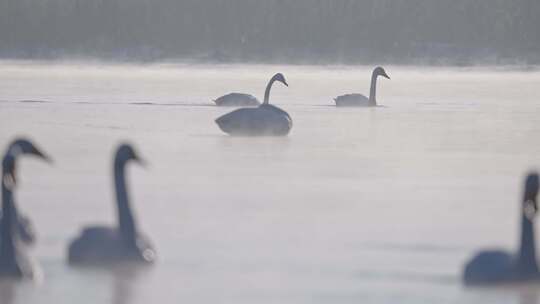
(7, 247)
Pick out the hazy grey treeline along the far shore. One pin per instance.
(301, 31)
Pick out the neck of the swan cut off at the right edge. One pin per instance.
(527, 252)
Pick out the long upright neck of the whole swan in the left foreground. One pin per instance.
(126, 222)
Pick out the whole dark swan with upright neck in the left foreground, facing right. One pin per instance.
(102, 246)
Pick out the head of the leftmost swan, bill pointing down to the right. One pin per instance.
(17, 148)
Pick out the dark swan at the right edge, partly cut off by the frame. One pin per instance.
(498, 267)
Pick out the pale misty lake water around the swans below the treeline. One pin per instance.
(374, 205)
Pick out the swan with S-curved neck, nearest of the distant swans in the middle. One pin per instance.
(265, 120)
